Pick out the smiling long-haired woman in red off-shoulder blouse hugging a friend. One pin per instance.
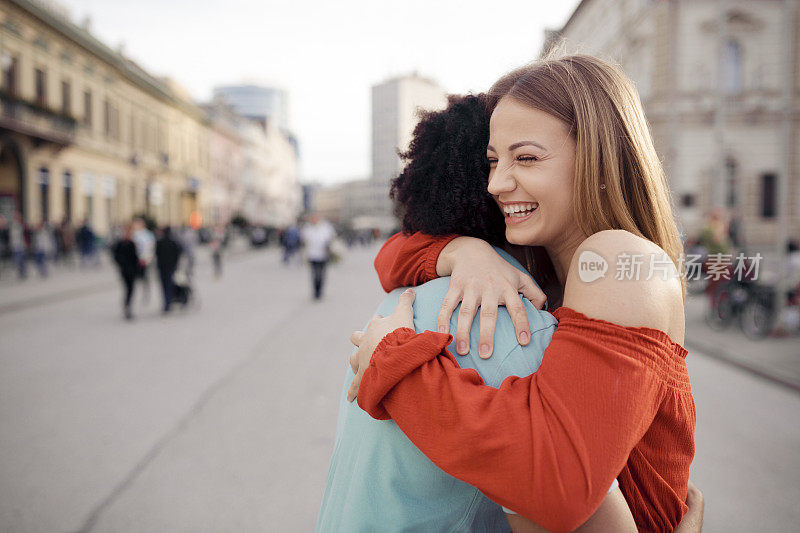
(574, 170)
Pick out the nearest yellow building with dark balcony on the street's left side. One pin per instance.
(87, 134)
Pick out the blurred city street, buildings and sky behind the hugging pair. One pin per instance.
(230, 123)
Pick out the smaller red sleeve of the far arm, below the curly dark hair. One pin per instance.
(409, 259)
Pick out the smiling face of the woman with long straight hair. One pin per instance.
(532, 165)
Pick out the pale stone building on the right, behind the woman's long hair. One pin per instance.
(720, 89)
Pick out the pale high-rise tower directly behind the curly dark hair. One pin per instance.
(395, 112)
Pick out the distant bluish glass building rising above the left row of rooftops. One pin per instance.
(257, 102)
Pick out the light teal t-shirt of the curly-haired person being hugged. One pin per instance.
(379, 481)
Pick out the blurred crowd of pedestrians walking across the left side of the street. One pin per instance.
(141, 252)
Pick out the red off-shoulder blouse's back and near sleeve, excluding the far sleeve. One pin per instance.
(607, 402)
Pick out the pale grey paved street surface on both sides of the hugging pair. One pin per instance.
(222, 418)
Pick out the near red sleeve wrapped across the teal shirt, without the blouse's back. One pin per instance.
(536, 425)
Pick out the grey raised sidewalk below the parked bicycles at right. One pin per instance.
(774, 359)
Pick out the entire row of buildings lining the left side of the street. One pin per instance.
(86, 134)
